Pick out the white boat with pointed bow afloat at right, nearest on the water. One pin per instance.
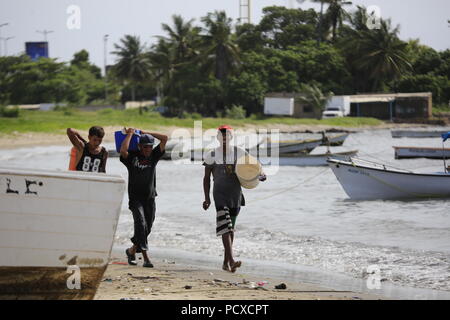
(365, 180)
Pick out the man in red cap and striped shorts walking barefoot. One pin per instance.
(227, 192)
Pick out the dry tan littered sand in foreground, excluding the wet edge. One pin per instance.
(170, 280)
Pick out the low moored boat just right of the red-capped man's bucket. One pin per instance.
(307, 160)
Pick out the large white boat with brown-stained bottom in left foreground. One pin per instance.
(56, 232)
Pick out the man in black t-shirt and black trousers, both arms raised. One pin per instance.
(141, 167)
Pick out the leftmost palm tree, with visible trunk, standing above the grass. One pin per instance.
(133, 64)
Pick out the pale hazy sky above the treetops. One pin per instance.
(82, 24)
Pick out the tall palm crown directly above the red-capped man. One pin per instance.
(220, 48)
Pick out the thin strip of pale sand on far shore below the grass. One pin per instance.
(17, 140)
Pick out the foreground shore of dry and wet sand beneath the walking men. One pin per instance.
(199, 271)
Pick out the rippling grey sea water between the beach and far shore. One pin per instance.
(299, 217)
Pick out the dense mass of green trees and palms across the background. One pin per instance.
(211, 65)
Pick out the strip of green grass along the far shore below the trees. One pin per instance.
(57, 121)
